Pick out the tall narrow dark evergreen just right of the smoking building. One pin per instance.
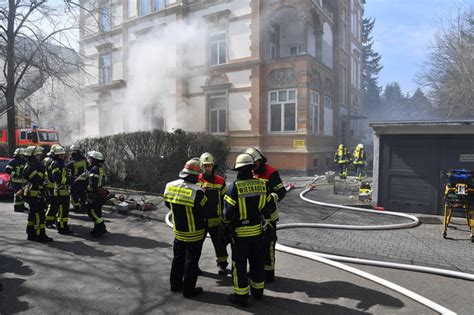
(370, 70)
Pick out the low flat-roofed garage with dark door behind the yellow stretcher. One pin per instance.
(412, 158)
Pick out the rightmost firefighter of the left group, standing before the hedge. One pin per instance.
(95, 198)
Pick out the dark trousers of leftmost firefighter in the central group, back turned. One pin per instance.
(184, 268)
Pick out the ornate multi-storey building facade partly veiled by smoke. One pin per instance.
(280, 75)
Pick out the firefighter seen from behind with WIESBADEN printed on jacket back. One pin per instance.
(245, 210)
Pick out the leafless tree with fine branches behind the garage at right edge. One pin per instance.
(449, 72)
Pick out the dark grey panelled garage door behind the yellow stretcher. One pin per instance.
(412, 169)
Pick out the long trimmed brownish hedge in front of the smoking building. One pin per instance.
(147, 160)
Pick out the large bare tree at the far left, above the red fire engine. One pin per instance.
(33, 38)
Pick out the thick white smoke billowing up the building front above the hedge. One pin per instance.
(156, 81)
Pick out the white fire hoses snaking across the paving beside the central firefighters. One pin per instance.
(331, 260)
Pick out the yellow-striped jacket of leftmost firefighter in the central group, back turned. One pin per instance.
(186, 201)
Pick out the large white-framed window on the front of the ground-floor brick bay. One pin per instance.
(282, 111)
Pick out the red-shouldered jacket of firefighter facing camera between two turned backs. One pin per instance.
(214, 191)
